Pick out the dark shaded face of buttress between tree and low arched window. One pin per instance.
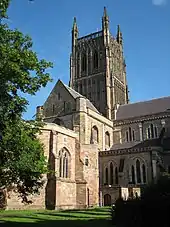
(50, 190)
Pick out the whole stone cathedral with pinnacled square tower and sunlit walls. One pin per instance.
(99, 145)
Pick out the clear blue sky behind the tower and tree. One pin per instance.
(146, 31)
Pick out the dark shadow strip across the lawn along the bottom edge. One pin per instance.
(57, 223)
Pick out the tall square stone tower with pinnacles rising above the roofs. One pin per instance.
(98, 69)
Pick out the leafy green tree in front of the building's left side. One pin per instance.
(22, 161)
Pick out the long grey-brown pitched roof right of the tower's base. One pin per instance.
(143, 108)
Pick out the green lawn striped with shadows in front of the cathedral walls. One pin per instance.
(75, 218)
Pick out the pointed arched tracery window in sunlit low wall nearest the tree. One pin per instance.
(63, 163)
